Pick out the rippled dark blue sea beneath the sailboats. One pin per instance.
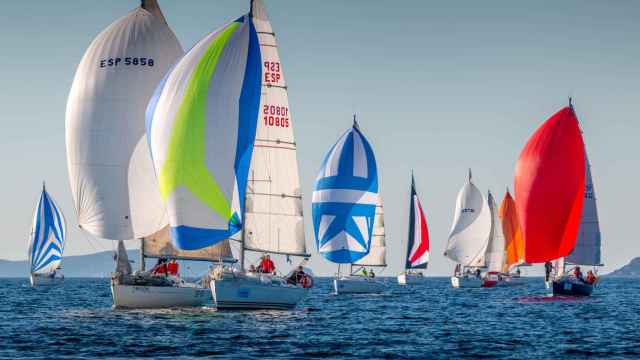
(431, 320)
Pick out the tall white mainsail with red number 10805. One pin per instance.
(273, 209)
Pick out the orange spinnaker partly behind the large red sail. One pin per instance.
(514, 243)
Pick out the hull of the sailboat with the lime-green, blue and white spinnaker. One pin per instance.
(255, 292)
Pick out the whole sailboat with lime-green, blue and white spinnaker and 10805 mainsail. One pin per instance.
(232, 82)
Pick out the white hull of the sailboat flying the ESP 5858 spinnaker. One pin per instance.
(157, 297)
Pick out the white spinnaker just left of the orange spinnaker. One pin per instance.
(471, 228)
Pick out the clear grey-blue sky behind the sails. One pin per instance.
(439, 87)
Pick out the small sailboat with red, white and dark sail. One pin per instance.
(417, 257)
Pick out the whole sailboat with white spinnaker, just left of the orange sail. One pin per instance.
(469, 236)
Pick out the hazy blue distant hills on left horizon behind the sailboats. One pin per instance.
(98, 265)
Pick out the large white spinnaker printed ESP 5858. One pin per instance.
(105, 121)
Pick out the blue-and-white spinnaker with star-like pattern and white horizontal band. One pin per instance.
(344, 199)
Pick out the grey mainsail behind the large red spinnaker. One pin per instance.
(587, 248)
